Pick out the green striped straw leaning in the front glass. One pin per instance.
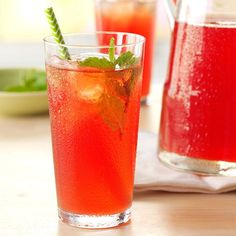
(56, 32)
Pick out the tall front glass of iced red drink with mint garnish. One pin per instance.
(94, 100)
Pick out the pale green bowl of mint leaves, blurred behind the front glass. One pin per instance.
(22, 91)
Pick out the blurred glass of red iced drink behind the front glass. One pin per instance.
(135, 16)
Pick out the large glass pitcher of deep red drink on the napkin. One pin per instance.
(198, 120)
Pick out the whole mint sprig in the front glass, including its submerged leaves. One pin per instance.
(115, 100)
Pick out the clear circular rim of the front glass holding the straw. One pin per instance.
(48, 40)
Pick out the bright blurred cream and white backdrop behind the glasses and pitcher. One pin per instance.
(23, 26)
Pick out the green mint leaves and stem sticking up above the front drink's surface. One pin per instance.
(125, 59)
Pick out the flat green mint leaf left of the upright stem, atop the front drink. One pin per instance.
(96, 62)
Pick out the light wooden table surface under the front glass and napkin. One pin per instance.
(28, 200)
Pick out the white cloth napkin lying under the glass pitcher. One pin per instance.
(151, 174)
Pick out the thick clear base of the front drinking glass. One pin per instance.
(94, 221)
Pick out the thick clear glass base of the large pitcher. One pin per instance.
(197, 166)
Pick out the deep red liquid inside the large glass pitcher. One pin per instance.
(199, 101)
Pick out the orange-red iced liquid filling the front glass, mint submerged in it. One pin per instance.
(94, 120)
